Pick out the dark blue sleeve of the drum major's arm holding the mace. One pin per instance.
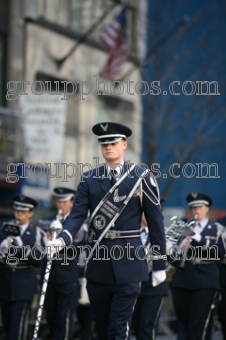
(78, 214)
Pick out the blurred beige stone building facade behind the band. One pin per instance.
(40, 35)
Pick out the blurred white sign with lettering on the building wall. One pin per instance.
(43, 122)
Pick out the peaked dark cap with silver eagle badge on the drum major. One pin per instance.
(110, 132)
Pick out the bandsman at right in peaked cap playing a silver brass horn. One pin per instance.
(195, 284)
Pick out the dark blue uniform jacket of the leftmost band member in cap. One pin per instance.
(18, 281)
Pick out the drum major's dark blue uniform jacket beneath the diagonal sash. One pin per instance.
(123, 266)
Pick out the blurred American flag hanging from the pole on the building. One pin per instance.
(113, 37)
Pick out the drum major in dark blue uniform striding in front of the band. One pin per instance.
(116, 195)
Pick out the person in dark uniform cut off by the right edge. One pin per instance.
(222, 269)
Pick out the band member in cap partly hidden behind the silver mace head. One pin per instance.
(63, 287)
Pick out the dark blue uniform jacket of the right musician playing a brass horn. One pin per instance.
(194, 275)
